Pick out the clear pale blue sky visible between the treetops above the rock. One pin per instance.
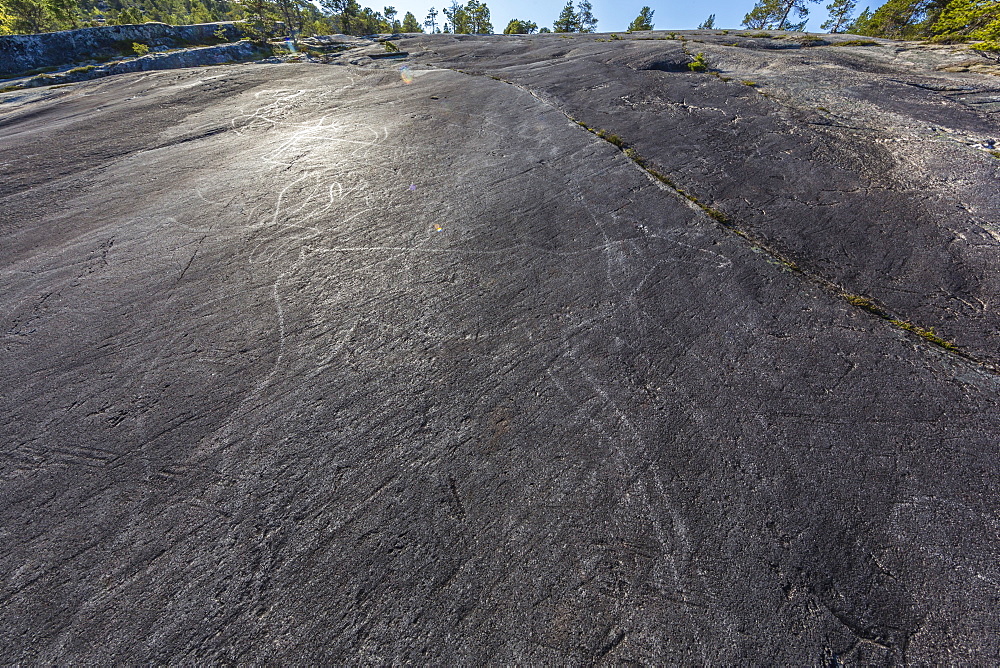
(613, 15)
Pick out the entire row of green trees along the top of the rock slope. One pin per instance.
(938, 20)
